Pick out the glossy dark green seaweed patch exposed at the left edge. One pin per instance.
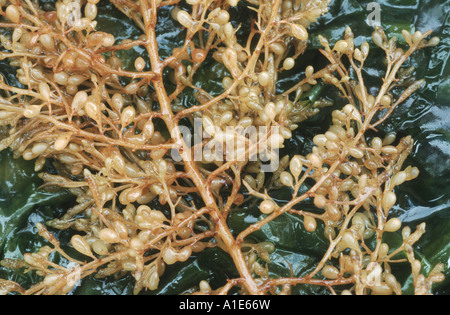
(22, 205)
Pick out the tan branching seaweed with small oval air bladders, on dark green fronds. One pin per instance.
(156, 180)
